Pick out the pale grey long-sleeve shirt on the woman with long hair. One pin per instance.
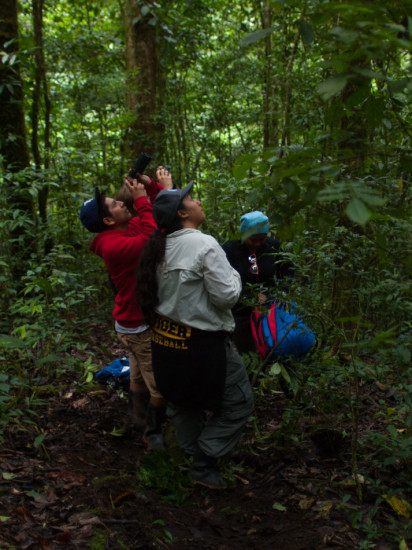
(196, 284)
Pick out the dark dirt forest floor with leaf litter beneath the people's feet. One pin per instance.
(85, 487)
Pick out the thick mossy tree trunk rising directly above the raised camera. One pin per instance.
(142, 74)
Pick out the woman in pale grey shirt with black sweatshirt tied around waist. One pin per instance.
(186, 290)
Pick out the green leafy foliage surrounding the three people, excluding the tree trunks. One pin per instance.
(331, 84)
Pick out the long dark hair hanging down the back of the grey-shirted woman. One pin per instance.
(153, 254)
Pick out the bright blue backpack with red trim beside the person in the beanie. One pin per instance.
(280, 331)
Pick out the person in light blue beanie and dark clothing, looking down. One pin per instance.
(261, 265)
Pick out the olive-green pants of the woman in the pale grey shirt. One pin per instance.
(216, 434)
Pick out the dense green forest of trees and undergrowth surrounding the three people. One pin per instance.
(299, 108)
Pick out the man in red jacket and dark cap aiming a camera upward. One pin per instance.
(119, 243)
